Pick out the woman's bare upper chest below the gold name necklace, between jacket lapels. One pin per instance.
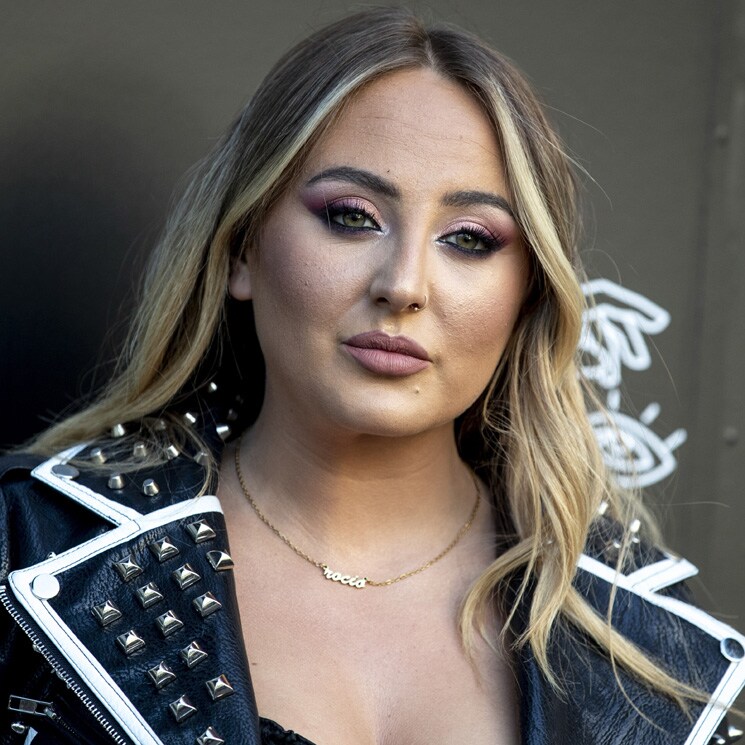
(375, 666)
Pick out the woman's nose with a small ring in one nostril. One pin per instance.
(401, 281)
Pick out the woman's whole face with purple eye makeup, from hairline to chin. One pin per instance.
(387, 280)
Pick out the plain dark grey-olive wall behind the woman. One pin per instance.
(104, 106)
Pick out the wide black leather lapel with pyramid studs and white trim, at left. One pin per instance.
(145, 616)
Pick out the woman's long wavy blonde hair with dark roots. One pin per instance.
(528, 433)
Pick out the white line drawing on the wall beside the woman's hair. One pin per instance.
(615, 329)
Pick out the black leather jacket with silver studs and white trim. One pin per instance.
(119, 622)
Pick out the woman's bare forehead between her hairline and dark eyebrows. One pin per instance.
(415, 127)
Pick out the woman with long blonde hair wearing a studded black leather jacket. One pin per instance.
(370, 293)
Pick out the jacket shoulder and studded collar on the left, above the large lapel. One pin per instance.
(136, 470)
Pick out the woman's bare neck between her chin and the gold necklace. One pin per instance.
(352, 497)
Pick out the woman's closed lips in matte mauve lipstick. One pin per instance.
(393, 356)
